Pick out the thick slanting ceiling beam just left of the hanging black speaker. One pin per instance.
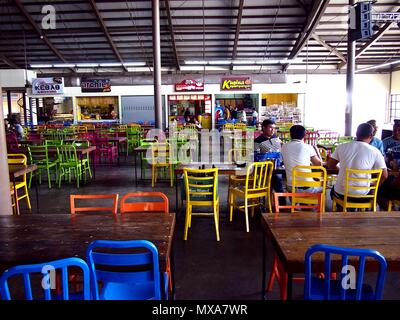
(312, 21)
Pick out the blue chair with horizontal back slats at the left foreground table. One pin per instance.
(125, 274)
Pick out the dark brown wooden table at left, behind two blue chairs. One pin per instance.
(37, 238)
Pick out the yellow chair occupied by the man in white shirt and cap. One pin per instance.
(366, 181)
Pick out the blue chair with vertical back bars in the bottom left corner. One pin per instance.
(48, 281)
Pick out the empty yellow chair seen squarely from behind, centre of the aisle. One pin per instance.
(201, 190)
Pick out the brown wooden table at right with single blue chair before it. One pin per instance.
(291, 234)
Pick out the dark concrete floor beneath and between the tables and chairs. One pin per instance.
(204, 268)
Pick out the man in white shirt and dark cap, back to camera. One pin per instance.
(358, 154)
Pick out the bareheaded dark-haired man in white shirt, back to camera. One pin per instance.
(298, 153)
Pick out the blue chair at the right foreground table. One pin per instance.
(327, 289)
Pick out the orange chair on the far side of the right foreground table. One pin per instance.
(278, 271)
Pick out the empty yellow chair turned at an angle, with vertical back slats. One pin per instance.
(256, 187)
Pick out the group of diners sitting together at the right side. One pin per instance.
(365, 152)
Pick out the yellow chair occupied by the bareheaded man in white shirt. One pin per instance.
(304, 177)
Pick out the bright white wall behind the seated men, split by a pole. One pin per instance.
(326, 100)
